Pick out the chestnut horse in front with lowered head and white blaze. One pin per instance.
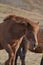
(12, 32)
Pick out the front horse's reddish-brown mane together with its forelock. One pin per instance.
(20, 20)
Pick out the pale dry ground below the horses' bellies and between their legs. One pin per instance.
(31, 58)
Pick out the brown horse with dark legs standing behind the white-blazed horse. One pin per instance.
(24, 47)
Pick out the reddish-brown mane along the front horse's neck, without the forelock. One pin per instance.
(18, 19)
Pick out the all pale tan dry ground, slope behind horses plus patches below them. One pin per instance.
(31, 58)
